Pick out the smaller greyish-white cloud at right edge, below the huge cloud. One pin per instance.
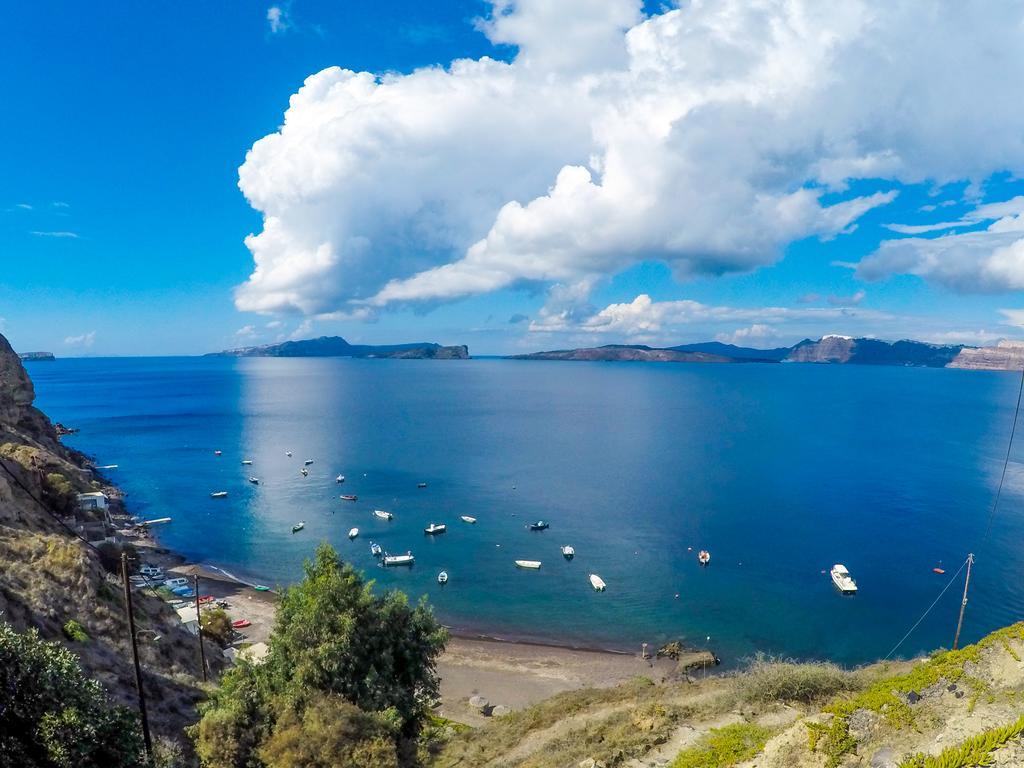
(990, 261)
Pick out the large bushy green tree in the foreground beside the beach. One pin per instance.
(348, 681)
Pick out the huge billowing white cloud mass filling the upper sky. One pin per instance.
(704, 137)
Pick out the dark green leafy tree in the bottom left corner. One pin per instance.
(53, 716)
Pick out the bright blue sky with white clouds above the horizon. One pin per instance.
(510, 175)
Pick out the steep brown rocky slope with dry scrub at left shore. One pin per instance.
(49, 577)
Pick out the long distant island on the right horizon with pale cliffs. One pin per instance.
(1007, 356)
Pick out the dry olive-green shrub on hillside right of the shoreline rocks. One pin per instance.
(769, 681)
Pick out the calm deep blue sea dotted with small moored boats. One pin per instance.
(779, 471)
